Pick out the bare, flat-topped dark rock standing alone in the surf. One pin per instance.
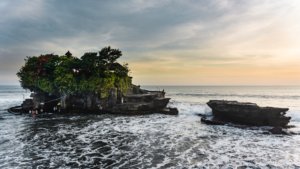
(246, 114)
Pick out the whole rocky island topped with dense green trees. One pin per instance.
(94, 83)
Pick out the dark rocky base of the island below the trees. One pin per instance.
(135, 101)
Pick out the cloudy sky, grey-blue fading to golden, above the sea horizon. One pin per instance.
(165, 42)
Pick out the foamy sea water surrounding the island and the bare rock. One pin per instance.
(151, 141)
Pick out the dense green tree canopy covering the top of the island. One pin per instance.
(94, 72)
